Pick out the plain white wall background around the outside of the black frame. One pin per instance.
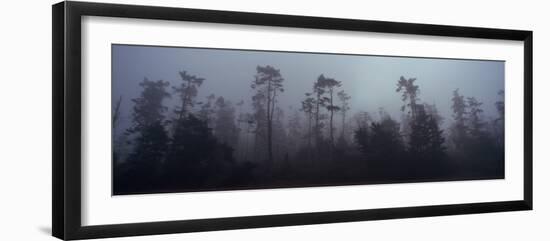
(25, 120)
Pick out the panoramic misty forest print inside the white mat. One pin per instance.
(204, 119)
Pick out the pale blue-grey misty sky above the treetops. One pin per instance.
(369, 80)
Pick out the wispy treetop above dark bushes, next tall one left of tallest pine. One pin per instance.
(187, 91)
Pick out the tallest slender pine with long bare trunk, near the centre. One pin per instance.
(269, 82)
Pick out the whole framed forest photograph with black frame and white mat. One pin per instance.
(169, 120)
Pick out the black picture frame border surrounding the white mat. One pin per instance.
(66, 168)
